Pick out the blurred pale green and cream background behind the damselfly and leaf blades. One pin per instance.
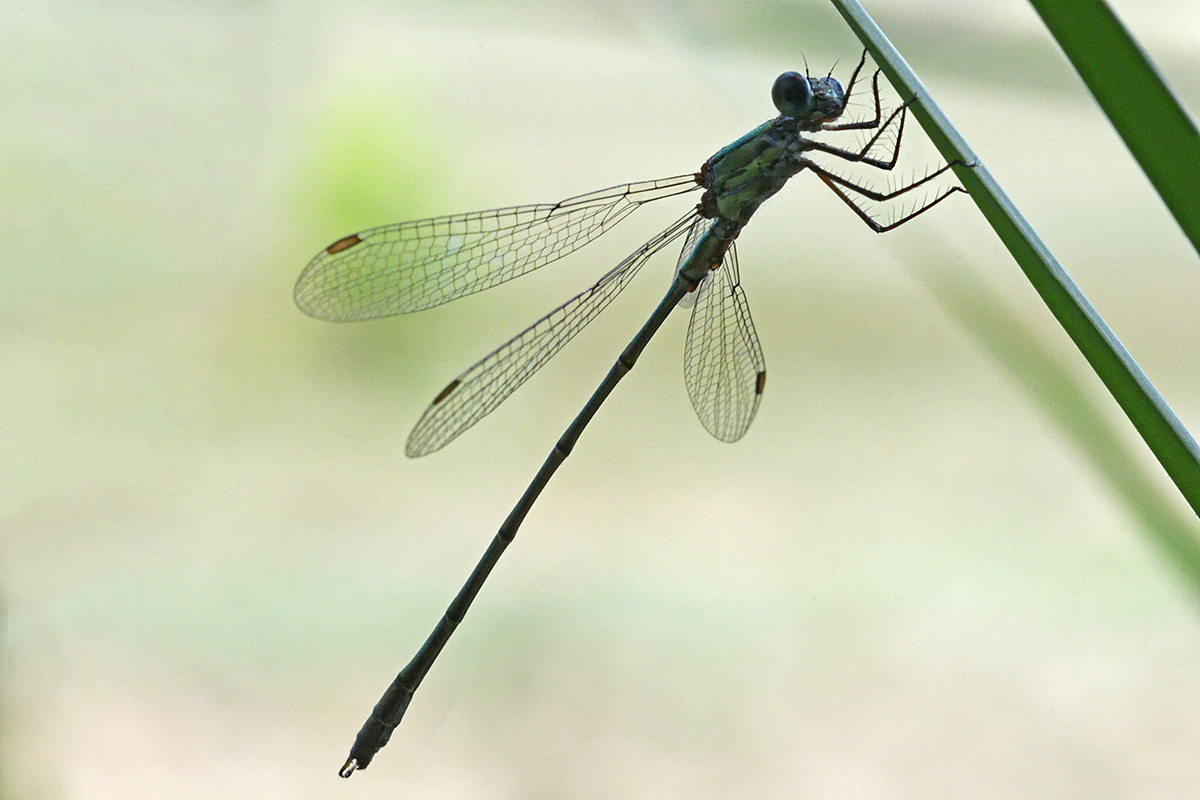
(907, 581)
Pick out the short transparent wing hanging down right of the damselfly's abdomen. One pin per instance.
(723, 364)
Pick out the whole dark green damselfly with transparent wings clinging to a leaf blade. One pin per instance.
(415, 266)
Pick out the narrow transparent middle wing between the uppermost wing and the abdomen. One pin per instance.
(477, 393)
